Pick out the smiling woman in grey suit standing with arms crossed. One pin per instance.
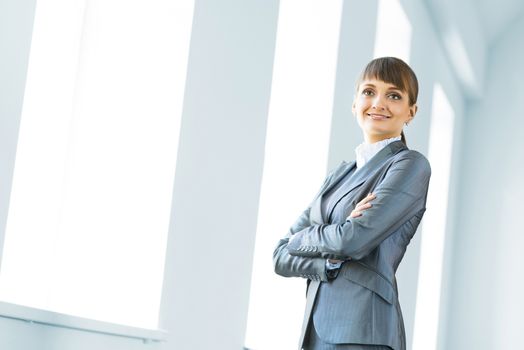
(349, 242)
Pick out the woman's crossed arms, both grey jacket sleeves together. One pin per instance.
(399, 196)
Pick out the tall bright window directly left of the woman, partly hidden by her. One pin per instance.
(295, 160)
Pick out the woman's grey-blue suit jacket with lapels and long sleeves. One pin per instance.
(361, 304)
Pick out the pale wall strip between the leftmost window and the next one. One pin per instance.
(218, 175)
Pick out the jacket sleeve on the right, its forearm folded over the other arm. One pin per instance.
(399, 196)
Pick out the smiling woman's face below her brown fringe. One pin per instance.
(381, 109)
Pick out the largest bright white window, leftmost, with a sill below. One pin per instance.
(91, 196)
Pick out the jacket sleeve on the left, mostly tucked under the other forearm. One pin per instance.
(287, 265)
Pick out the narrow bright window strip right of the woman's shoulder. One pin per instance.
(434, 223)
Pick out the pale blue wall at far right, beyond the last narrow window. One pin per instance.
(487, 283)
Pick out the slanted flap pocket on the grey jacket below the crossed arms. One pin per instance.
(367, 278)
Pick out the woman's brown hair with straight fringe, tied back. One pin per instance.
(394, 71)
